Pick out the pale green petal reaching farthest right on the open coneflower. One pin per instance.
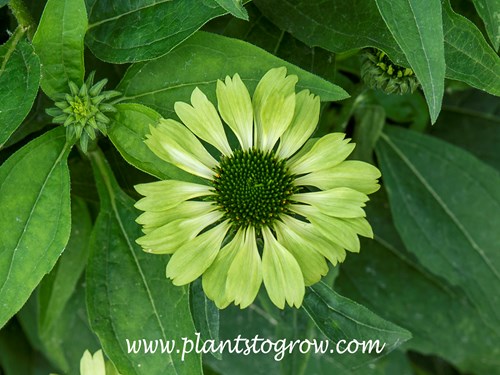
(353, 174)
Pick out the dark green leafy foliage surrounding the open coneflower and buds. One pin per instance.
(71, 275)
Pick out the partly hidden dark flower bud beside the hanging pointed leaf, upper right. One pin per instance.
(379, 72)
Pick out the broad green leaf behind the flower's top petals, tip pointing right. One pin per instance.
(200, 62)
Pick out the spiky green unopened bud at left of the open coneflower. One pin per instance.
(82, 110)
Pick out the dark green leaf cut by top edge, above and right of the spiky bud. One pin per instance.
(142, 30)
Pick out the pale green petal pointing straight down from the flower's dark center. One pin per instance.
(245, 273)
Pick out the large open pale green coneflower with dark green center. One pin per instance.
(274, 209)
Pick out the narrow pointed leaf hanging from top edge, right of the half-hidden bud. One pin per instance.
(417, 27)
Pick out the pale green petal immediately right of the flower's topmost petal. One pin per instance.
(304, 123)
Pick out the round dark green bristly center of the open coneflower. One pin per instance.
(253, 187)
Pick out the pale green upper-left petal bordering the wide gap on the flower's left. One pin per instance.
(174, 143)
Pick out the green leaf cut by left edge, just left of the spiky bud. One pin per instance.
(19, 79)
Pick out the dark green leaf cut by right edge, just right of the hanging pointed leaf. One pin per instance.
(468, 57)
